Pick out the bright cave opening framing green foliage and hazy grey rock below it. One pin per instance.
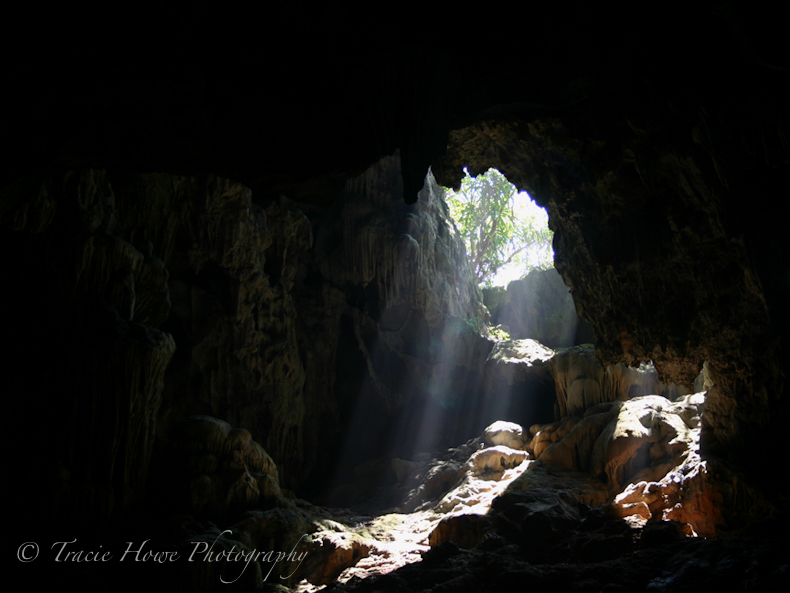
(523, 292)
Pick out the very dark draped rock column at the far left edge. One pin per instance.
(98, 303)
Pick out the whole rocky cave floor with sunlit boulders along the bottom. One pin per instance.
(613, 496)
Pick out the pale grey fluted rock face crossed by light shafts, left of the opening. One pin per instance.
(389, 319)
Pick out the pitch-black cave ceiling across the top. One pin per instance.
(295, 101)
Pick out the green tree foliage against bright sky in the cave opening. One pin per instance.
(496, 229)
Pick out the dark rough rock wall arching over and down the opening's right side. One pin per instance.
(674, 285)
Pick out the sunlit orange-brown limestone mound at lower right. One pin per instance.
(646, 450)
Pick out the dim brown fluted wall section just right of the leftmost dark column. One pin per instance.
(229, 266)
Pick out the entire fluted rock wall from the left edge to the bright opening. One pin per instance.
(163, 297)
